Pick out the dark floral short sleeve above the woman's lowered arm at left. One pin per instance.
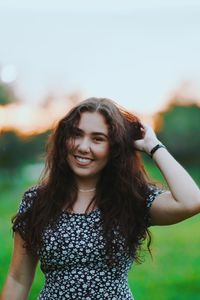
(26, 204)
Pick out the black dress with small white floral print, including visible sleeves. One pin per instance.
(72, 257)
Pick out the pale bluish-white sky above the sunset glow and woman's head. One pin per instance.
(135, 52)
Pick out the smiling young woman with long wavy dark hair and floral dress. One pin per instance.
(86, 220)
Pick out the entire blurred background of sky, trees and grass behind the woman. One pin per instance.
(142, 54)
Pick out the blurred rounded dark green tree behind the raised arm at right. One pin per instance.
(179, 128)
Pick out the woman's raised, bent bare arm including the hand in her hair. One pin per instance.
(183, 198)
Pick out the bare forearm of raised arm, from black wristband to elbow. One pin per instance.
(180, 183)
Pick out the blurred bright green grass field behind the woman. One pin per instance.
(172, 274)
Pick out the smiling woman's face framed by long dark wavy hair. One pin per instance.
(89, 148)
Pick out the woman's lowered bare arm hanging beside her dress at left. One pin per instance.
(21, 273)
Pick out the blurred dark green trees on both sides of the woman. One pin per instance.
(177, 127)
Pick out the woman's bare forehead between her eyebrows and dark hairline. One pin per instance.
(93, 122)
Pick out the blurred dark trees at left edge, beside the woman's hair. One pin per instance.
(18, 150)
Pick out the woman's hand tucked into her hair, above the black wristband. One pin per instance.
(149, 140)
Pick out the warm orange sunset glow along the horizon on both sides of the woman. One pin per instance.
(30, 119)
